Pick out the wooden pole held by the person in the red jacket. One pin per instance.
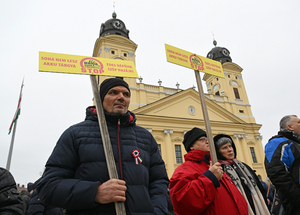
(211, 144)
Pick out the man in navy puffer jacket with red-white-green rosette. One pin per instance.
(76, 175)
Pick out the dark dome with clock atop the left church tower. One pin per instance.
(114, 26)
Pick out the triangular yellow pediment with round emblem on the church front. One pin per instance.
(186, 105)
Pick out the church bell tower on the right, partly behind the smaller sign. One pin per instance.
(230, 91)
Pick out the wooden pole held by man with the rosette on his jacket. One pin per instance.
(109, 155)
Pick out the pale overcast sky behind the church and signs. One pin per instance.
(262, 37)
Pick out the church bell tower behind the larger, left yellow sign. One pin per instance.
(114, 43)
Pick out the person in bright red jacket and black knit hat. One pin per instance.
(198, 187)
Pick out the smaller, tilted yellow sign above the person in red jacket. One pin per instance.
(192, 61)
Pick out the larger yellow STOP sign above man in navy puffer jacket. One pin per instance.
(63, 63)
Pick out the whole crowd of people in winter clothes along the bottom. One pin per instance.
(76, 179)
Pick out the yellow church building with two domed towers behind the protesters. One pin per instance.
(170, 112)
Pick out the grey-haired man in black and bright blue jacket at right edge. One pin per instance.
(282, 163)
